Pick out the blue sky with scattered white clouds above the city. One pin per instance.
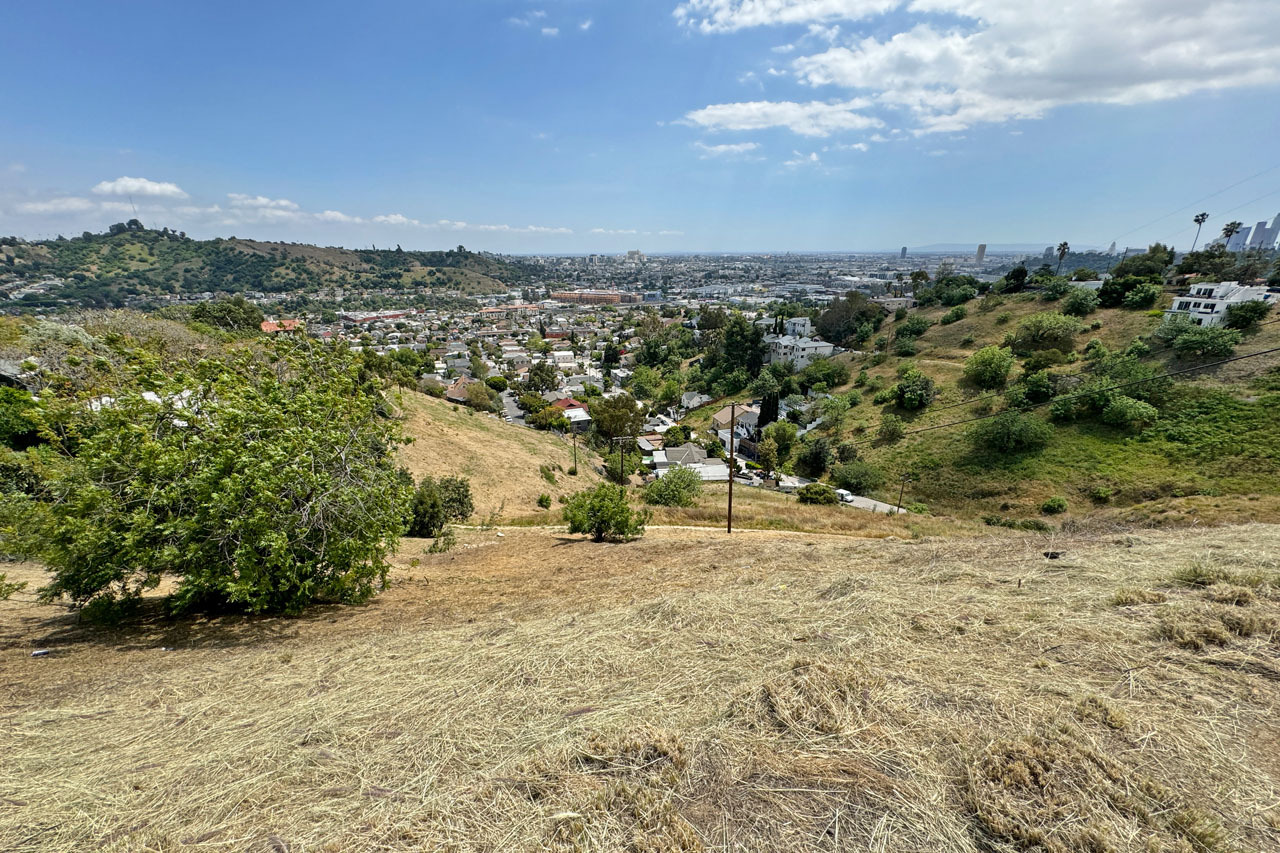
(572, 126)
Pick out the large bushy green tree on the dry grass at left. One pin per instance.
(262, 485)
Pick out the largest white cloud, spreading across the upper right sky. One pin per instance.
(952, 65)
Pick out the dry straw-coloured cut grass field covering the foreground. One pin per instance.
(770, 691)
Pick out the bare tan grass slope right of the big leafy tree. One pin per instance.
(504, 462)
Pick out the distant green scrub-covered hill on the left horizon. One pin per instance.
(134, 267)
